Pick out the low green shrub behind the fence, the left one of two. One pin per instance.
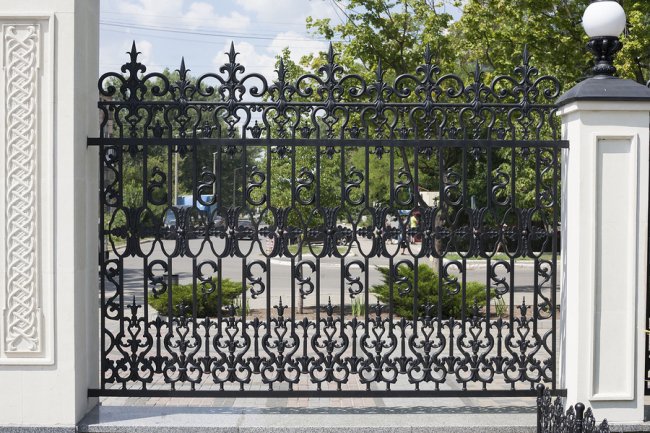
(207, 303)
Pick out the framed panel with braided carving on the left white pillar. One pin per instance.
(27, 189)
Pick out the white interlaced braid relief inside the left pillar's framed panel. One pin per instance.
(22, 313)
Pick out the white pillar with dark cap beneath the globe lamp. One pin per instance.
(604, 246)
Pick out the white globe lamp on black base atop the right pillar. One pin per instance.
(604, 21)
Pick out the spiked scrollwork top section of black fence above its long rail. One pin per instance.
(330, 104)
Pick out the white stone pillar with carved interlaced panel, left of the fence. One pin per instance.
(48, 187)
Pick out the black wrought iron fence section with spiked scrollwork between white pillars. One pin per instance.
(325, 233)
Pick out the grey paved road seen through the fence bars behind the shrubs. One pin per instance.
(329, 284)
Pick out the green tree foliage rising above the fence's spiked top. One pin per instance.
(492, 32)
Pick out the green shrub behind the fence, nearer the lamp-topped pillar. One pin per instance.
(427, 293)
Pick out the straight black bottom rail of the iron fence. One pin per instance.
(316, 393)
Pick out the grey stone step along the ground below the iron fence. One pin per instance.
(114, 419)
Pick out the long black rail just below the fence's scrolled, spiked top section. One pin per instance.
(149, 141)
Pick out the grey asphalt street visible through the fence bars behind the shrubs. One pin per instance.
(277, 280)
